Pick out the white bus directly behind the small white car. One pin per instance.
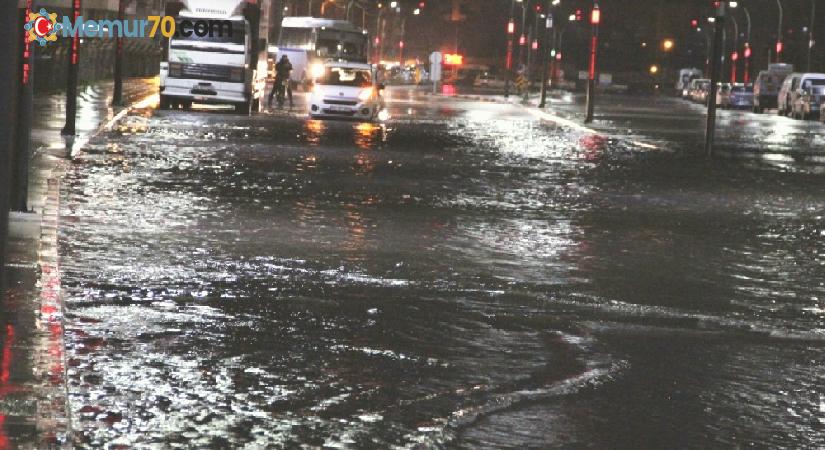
(310, 41)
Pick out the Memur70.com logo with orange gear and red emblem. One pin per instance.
(44, 27)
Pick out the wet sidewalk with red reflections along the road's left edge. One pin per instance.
(33, 407)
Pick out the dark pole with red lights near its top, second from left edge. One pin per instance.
(20, 186)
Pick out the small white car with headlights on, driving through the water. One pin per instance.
(344, 90)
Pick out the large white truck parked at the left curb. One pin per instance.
(218, 54)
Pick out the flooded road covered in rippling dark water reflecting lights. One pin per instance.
(465, 276)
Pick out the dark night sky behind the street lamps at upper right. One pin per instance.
(626, 25)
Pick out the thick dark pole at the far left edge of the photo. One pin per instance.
(11, 30)
